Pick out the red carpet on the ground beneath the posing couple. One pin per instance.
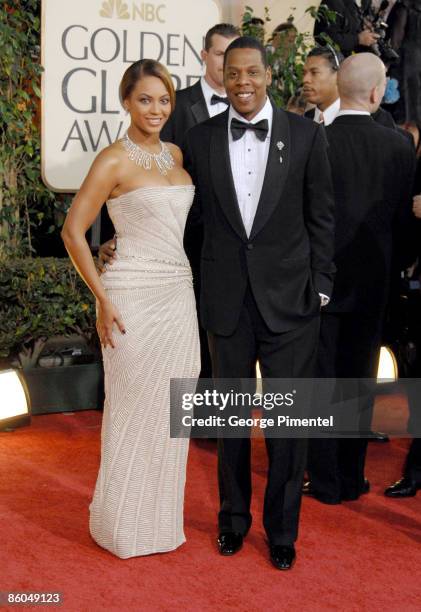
(363, 555)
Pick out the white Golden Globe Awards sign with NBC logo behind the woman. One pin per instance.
(86, 47)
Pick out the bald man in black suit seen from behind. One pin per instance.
(373, 171)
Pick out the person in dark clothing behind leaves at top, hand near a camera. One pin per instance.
(348, 30)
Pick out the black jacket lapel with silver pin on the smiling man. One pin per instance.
(276, 171)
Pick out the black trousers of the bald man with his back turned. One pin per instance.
(349, 347)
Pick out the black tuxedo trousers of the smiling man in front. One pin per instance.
(285, 355)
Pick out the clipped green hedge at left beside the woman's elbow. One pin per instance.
(41, 298)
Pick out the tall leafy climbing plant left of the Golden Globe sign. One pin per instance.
(25, 202)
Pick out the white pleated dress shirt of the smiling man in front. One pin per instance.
(249, 157)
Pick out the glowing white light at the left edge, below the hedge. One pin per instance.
(14, 400)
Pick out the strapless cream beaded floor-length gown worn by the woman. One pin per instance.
(137, 507)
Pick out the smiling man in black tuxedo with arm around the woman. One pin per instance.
(264, 196)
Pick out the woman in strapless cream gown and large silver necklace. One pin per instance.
(146, 320)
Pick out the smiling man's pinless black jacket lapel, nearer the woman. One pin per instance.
(222, 179)
